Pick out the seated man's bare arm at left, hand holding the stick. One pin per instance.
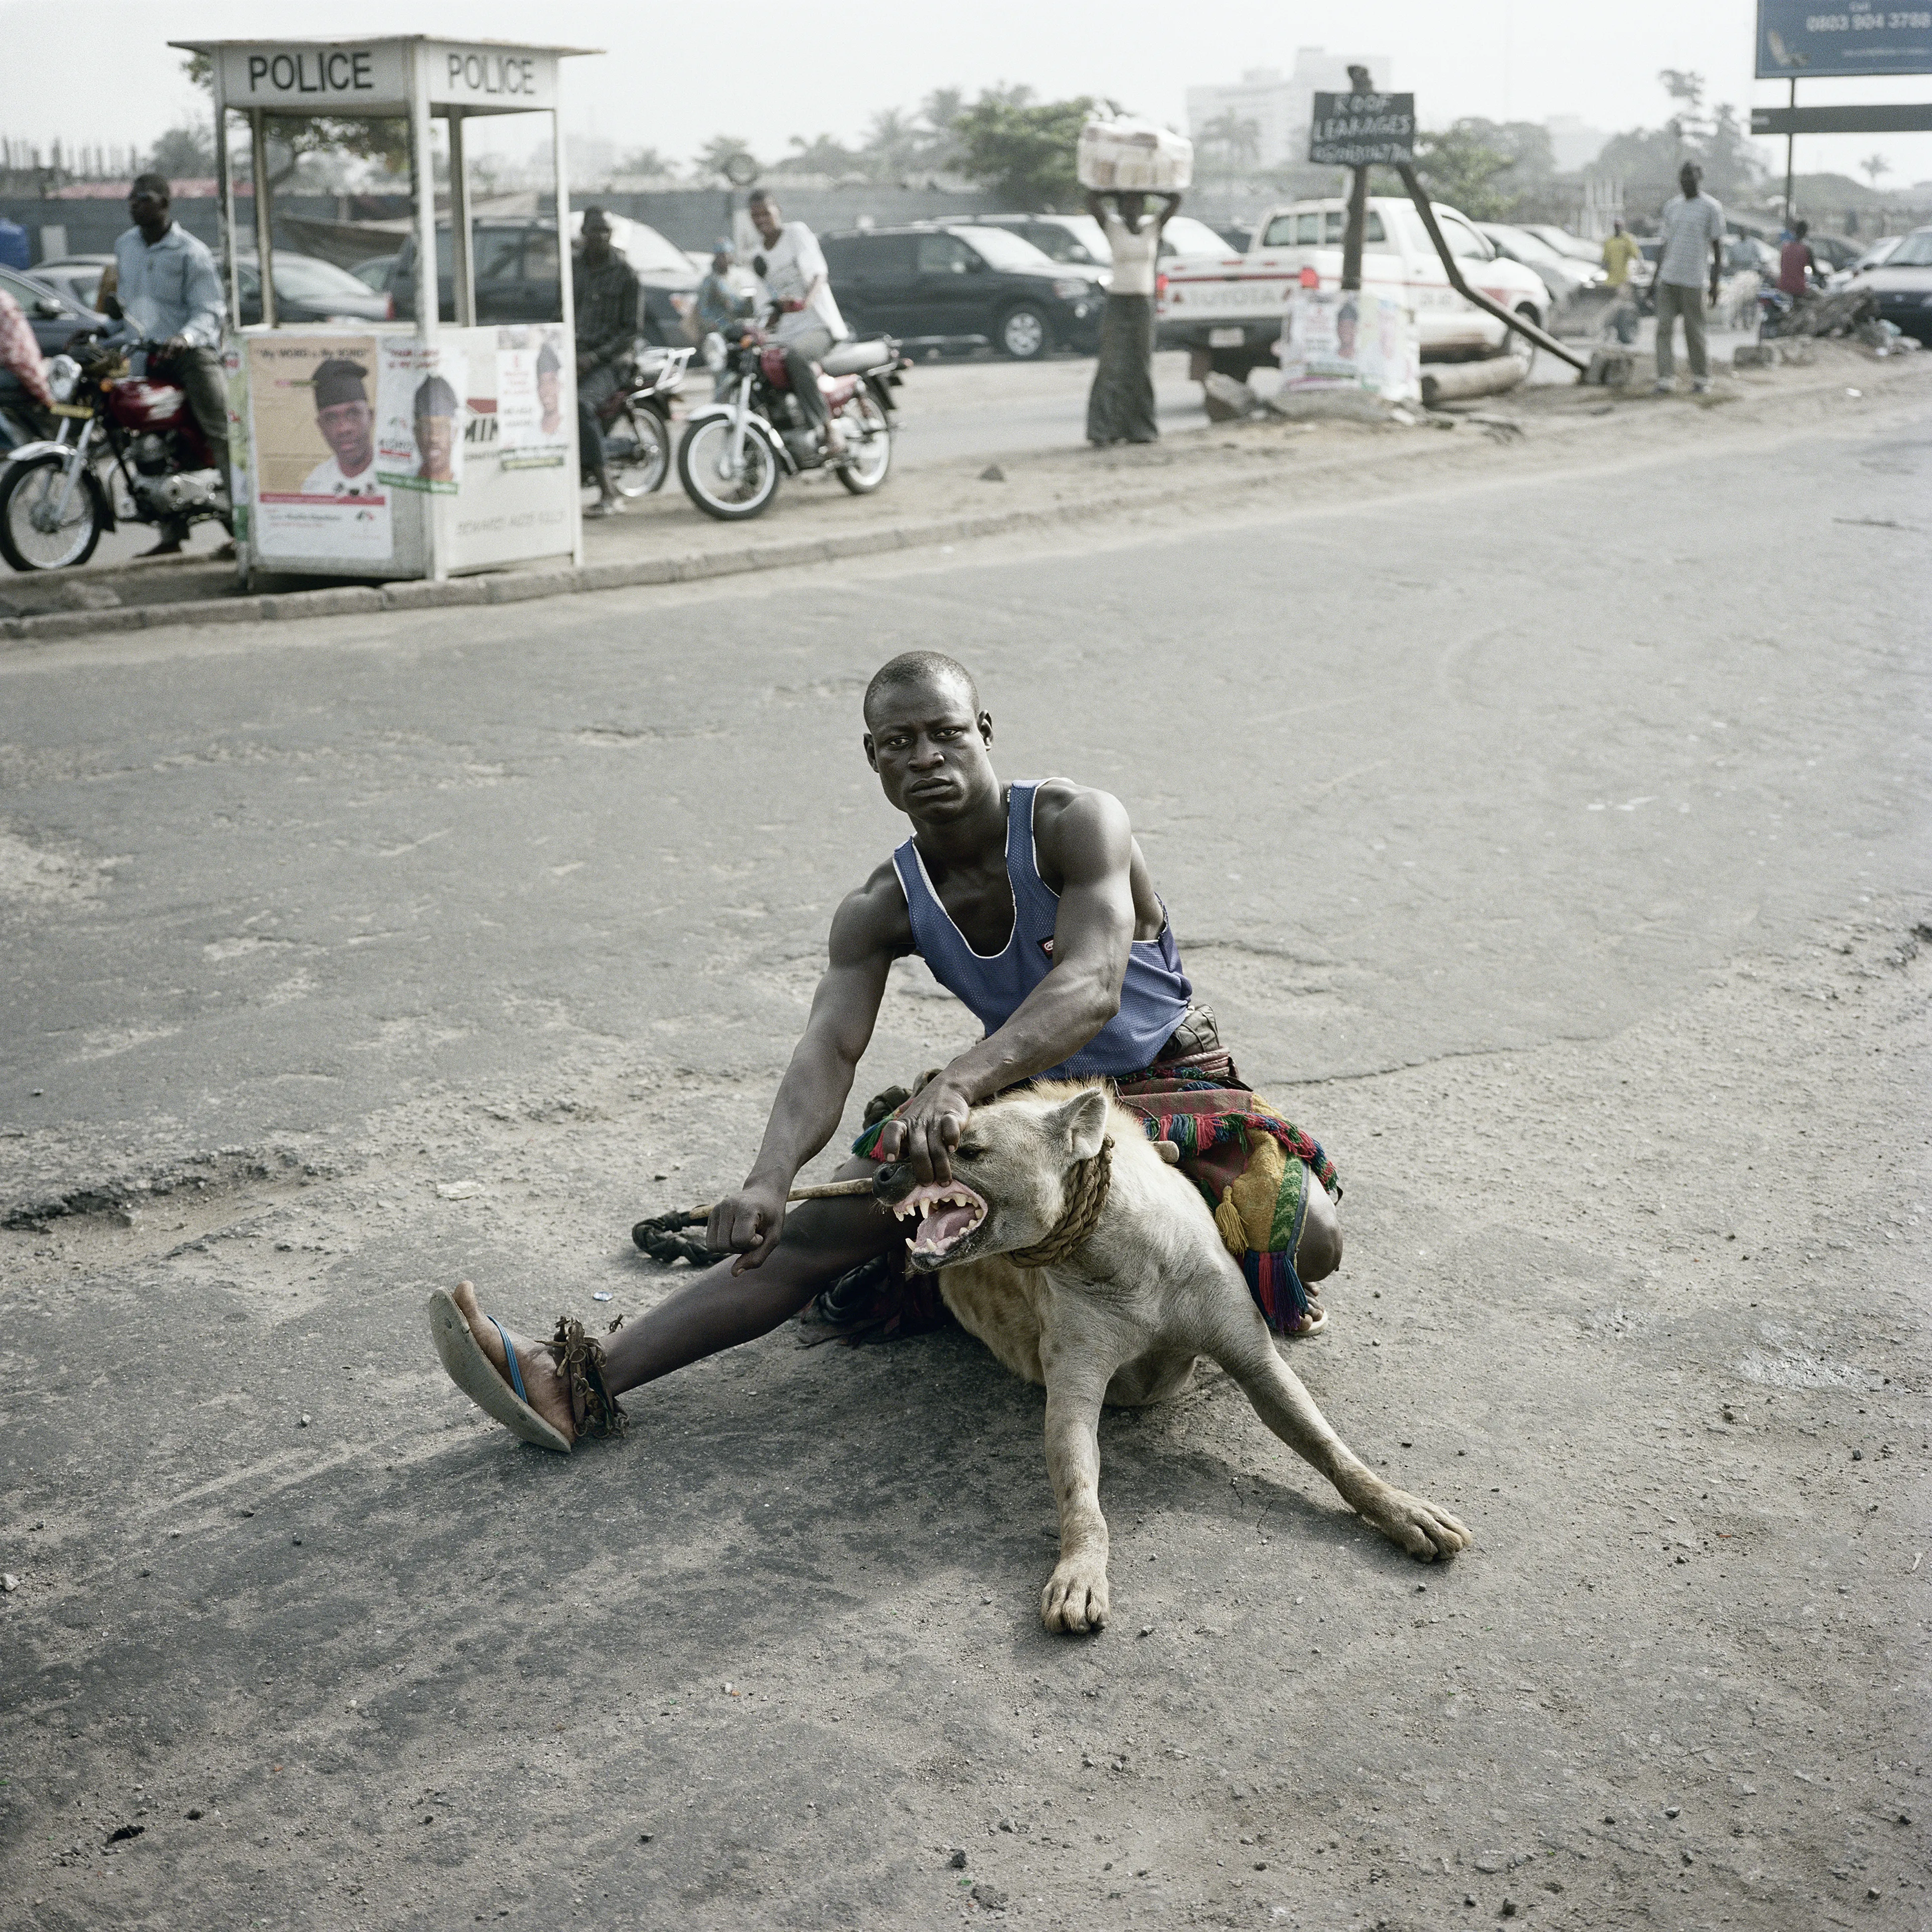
(870, 930)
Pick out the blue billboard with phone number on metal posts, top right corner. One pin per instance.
(1798, 42)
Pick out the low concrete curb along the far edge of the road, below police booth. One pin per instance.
(349, 600)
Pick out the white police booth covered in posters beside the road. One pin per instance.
(412, 447)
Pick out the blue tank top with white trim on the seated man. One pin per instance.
(1152, 998)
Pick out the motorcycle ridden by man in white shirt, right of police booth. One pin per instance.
(737, 451)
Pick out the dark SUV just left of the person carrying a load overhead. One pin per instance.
(961, 289)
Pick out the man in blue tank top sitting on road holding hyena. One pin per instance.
(1029, 901)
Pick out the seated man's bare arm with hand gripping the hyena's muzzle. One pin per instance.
(1091, 847)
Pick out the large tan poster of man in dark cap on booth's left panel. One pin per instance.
(312, 449)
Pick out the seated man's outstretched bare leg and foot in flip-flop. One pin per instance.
(710, 1313)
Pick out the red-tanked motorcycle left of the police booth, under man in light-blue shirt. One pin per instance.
(128, 449)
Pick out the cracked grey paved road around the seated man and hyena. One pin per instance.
(1568, 886)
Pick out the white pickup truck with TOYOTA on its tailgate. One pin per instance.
(1228, 308)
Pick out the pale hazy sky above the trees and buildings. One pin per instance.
(673, 76)
